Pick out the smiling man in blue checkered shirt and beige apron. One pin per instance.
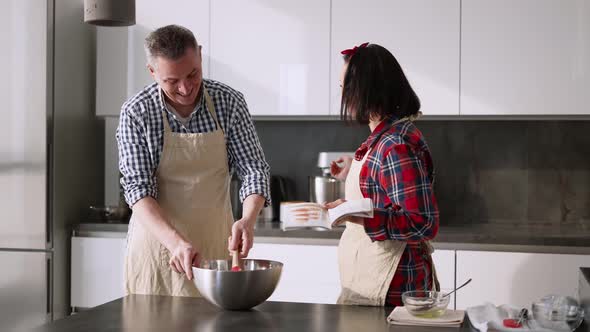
(178, 140)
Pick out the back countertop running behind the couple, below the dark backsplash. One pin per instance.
(511, 237)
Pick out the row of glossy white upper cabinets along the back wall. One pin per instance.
(462, 57)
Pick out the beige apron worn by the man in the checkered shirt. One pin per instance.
(193, 192)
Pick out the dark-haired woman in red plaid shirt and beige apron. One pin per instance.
(384, 256)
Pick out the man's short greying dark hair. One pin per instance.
(170, 42)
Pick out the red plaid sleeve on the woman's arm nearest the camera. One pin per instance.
(413, 213)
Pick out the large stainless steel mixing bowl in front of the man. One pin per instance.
(237, 290)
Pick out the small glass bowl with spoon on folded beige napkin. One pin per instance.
(425, 304)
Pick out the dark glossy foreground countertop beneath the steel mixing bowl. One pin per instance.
(167, 313)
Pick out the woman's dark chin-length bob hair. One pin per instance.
(375, 86)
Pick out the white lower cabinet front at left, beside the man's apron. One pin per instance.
(97, 270)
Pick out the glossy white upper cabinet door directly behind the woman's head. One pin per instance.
(423, 35)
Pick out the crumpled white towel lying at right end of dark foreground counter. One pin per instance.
(489, 317)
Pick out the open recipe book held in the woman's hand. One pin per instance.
(301, 215)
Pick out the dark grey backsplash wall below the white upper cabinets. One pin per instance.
(487, 171)
